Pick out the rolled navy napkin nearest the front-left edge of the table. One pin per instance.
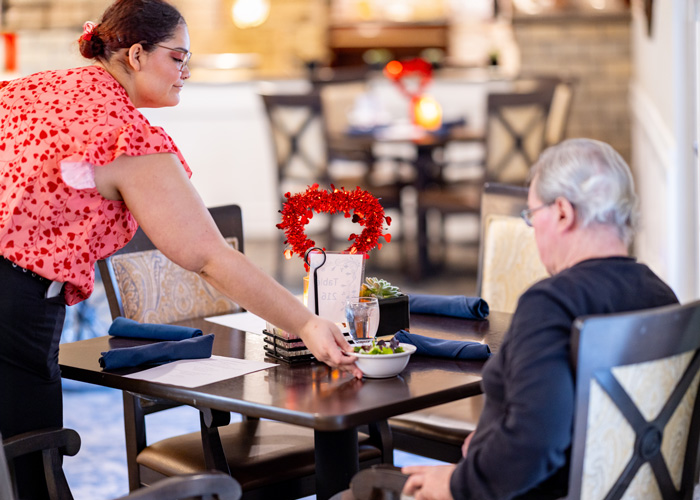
(161, 352)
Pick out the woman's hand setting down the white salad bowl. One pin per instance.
(325, 340)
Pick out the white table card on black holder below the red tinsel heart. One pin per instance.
(334, 280)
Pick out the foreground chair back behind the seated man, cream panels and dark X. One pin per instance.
(637, 417)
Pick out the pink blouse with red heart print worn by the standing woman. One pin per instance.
(55, 128)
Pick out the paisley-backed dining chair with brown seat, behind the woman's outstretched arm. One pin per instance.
(143, 285)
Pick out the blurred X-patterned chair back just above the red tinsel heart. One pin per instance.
(297, 132)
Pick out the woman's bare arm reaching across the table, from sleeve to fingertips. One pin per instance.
(166, 205)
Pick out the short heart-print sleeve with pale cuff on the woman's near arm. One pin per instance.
(77, 170)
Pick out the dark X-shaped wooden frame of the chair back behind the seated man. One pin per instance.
(601, 343)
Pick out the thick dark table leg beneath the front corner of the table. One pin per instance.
(337, 461)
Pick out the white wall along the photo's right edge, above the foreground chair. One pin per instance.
(663, 123)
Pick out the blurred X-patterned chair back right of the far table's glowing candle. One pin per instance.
(515, 132)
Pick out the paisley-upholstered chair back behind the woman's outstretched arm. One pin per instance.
(144, 285)
